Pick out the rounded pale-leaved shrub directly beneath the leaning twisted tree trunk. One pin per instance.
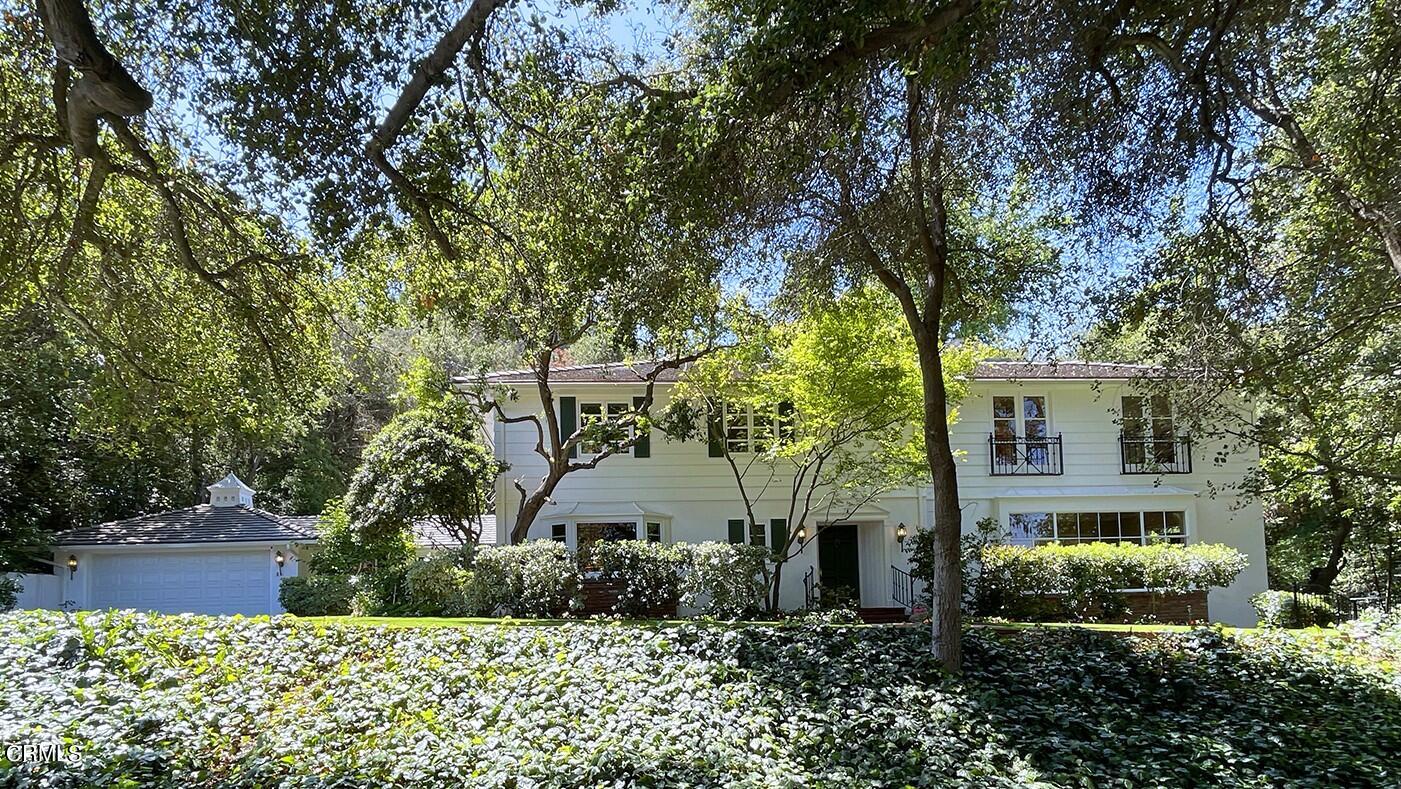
(532, 579)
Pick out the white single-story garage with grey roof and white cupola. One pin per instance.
(219, 558)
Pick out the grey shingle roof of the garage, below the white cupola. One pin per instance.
(202, 523)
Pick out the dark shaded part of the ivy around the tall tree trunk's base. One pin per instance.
(1082, 708)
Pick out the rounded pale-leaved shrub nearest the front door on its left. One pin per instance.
(725, 581)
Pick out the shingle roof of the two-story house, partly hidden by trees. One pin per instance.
(621, 373)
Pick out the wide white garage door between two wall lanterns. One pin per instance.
(176, 582)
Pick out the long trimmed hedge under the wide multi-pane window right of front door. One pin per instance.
(1086, 582)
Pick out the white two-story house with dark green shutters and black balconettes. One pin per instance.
(1054, 452)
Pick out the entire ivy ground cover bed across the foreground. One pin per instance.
(193, 701)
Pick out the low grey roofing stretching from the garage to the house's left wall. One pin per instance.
(205, 523)
